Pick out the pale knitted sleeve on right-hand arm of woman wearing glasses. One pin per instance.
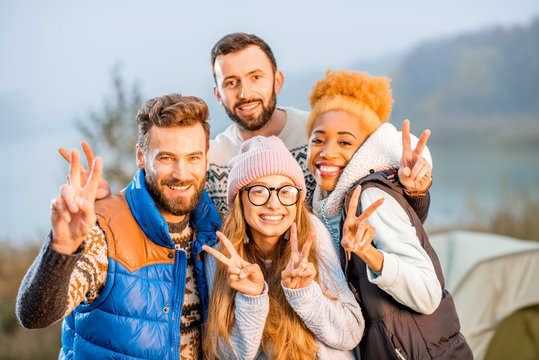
(328, 307)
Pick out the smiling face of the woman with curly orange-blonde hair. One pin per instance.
(334, 140)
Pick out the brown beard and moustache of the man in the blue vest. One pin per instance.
(177, 206)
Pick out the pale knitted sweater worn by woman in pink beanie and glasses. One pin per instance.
(337, 324)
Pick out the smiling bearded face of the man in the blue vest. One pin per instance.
(175, 170)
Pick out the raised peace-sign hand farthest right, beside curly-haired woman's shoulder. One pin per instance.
(414, 170)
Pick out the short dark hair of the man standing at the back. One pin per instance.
(235, 42)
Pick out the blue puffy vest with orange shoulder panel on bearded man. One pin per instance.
(137, 314)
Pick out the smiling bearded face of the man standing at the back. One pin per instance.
(246, 86)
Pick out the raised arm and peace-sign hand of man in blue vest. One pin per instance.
(51, 290)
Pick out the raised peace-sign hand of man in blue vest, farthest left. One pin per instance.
(72, 213)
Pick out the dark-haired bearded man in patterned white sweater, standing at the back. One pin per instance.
(247, 82)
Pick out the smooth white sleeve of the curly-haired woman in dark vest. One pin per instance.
(408, 273)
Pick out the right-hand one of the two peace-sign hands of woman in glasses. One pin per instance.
(299, 272)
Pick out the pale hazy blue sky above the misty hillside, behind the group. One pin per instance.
(56, 58)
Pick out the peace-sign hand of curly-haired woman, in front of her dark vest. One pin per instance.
(357, 233)
